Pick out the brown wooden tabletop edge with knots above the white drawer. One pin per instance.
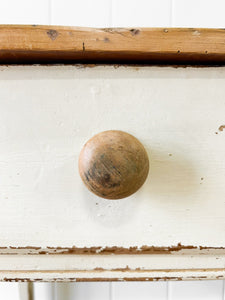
(55, 44)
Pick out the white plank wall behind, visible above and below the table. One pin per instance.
(117, 13)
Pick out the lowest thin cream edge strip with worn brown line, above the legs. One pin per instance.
(159, 275)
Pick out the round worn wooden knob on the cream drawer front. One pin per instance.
(113, 164)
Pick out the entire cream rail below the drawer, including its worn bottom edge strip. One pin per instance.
(106, 267)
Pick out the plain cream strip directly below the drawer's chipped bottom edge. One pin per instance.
(83, 263)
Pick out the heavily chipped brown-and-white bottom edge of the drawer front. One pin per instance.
(179, 248)
